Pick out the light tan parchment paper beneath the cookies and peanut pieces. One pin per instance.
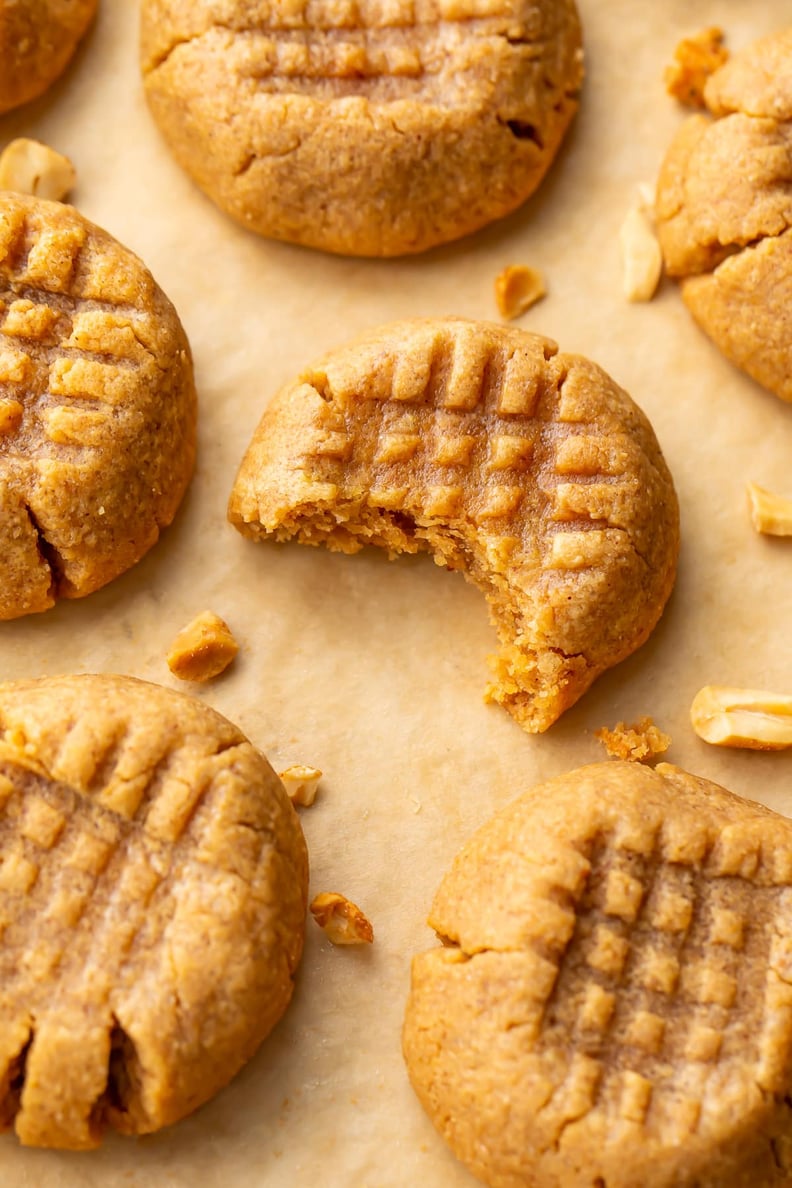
(373, 671)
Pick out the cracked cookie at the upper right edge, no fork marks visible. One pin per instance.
(725, 214)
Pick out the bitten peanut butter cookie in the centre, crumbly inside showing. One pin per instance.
(529, 471)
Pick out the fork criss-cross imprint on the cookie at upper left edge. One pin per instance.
(72, 333)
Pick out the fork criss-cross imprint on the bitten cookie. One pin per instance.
(467, 428)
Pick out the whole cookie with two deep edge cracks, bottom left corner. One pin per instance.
(154, 882)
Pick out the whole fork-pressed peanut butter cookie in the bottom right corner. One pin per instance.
(613, 1002)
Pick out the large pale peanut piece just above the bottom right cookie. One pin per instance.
(743, 718)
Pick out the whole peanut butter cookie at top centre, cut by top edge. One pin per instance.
(370, 128)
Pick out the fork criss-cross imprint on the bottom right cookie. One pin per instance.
(669, 977)
